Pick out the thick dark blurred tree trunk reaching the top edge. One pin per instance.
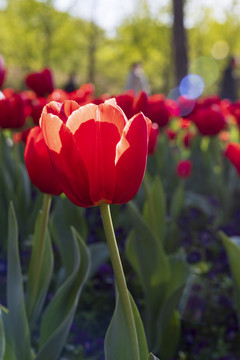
(179, 41)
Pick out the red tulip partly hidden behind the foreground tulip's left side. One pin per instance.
(38, 163)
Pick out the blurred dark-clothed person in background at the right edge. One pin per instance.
(229, 83)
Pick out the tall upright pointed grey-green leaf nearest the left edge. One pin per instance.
(15, 322)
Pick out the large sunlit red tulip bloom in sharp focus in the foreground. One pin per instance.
(98, 155)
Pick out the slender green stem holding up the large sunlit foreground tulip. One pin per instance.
(119, 277)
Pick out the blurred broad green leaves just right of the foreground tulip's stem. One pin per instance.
(162, 278)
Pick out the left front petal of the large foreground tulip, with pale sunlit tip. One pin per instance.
(66, 160)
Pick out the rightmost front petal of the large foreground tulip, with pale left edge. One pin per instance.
(131, 157)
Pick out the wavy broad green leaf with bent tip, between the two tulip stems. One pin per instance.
(59, 314)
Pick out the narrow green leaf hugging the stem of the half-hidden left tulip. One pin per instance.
(39, 273)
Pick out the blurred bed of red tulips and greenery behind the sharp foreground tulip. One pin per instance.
(188, 199)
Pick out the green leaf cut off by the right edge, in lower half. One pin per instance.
(233, 253)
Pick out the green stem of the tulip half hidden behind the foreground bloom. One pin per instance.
(37, 253)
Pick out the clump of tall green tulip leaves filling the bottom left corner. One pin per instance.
(15, 336)
